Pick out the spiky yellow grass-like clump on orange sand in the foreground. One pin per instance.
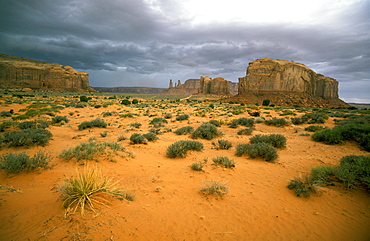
(79, 191)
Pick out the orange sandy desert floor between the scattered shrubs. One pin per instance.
(168, 204)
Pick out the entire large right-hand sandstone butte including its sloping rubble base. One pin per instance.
(287, 83)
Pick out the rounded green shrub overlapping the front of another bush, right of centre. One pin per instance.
(266, 151)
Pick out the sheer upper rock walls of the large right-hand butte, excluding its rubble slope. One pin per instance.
(267, 74)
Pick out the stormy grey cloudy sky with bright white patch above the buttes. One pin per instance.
(148, 42)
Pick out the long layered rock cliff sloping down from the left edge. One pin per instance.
(16, 72)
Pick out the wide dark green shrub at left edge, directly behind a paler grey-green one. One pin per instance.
(27, 137)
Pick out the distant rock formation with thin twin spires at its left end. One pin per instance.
(204, 85)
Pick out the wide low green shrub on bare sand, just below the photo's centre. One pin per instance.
(180, 148)
